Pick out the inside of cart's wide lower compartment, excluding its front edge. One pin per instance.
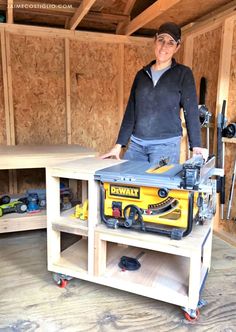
(157, 269)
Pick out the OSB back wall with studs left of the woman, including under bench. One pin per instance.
(62, 87)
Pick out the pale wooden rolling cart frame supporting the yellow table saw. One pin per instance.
(172, 271)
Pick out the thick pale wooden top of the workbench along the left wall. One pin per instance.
(40, 156)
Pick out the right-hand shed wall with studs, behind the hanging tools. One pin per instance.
(212, 55)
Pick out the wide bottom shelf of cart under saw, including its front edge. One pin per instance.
(161, 276)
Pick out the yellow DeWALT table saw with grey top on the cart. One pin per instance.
(165, 199)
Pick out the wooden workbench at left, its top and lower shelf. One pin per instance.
(33, 156)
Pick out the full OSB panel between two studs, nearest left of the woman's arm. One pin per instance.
(94, 94)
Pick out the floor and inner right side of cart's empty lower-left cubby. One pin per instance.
(75, 257)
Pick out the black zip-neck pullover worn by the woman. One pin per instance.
(153, 112)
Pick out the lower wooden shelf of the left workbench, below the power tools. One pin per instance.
(15, 222)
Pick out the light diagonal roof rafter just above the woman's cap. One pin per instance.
(148, 15)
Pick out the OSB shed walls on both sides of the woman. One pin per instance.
(88, 107)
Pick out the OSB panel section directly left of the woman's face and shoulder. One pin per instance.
(135, 58)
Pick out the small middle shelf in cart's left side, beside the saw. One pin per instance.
(69, 224)
